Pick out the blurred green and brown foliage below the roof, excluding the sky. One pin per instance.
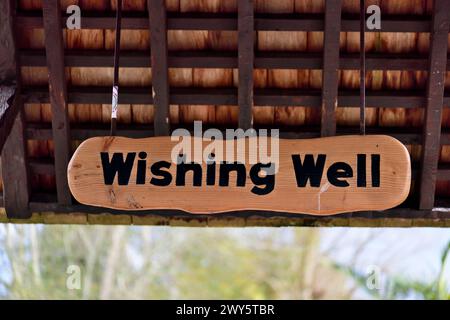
(119, 262)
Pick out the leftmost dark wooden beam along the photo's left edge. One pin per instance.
(16, 187)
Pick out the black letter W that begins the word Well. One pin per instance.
(308, 170)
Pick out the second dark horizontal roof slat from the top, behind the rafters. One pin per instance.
(218, 59)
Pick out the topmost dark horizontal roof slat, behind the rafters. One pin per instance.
(225, 21)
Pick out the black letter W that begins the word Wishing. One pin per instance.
(117, 165)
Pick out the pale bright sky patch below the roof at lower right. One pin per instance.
(414, 253)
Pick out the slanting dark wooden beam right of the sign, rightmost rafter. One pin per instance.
(435, 100)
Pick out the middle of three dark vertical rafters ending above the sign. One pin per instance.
(245, 62)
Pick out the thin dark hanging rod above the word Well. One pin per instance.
(362, 74)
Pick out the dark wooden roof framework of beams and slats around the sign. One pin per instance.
(23, 204)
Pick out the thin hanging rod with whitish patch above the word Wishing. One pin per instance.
(115, 92)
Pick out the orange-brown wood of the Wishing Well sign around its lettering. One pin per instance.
(86, 180)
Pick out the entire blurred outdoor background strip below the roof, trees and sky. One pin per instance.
(126, 262)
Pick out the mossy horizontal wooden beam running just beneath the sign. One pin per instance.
(404, 216)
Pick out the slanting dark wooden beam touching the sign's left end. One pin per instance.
(58, 96)
